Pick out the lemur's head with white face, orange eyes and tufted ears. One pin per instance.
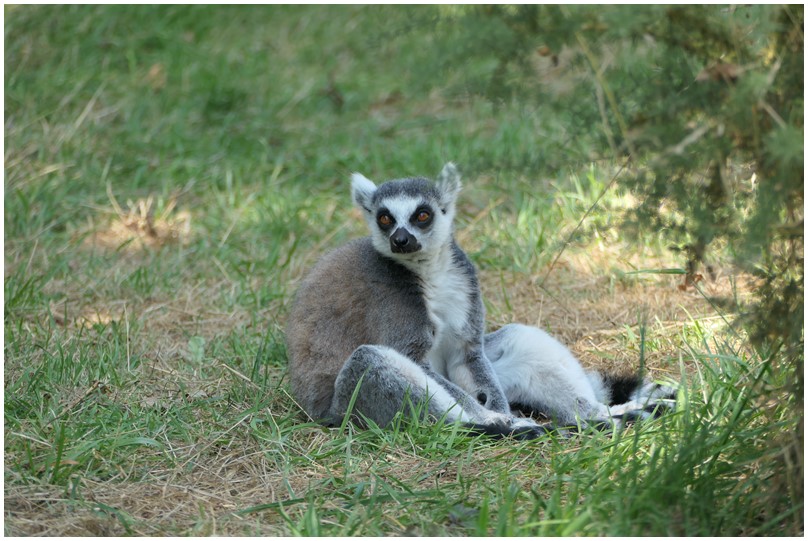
(409, 218)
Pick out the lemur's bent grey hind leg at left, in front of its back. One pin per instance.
(391, 382)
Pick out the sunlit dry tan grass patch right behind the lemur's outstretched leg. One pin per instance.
(590, 307)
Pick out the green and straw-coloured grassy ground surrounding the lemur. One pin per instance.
(170, 174)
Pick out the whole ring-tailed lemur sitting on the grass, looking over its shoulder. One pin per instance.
(399, 314)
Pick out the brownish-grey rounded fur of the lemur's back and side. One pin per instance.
(353, 296)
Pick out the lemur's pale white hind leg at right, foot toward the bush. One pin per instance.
(539, 374)
